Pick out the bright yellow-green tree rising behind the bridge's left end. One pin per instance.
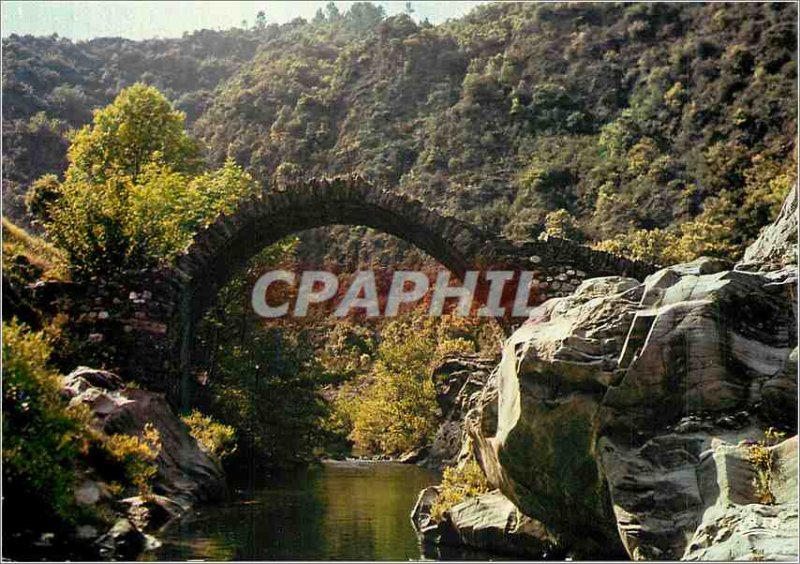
(129, 198)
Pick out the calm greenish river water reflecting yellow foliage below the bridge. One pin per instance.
(339, 511)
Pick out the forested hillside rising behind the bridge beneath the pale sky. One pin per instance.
(629, 118)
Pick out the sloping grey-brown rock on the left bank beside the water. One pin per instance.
(186, 475)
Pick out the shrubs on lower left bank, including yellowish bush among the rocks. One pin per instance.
(49, 446)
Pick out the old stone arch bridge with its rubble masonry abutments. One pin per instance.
(147, 320)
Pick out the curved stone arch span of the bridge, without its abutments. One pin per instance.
(220, 249)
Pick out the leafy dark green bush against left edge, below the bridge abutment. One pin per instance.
(43, 438)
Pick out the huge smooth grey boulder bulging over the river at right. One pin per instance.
(608, 399)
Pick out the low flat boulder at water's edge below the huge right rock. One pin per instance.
(489, 522)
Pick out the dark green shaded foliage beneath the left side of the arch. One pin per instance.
(262, 379)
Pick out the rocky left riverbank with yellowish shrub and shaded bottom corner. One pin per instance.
(114, 521)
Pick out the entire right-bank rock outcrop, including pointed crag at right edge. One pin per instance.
(621, 418)
